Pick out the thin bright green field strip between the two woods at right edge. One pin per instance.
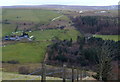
(109, 37)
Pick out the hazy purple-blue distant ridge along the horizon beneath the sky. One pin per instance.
(73, 7)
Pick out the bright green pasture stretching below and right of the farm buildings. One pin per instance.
(33, 52)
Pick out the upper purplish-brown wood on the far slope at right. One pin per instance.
(97, 24)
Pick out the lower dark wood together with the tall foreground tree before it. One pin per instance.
(85, 53)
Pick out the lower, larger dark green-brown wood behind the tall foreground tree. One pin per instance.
(83, 54)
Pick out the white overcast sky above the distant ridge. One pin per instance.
(60, 2)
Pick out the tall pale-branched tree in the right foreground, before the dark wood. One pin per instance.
(104, 63)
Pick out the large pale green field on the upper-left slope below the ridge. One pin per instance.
(33, 15)
